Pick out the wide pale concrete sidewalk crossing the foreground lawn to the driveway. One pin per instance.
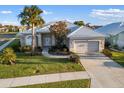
(40, 79)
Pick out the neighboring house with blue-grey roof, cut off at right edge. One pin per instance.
(114, 33)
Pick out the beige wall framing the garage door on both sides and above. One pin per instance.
(72, 45)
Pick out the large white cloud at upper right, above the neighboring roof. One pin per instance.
(111, 15)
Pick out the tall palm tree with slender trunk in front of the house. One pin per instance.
(30, 16)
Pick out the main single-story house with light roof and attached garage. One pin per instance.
(80, 39)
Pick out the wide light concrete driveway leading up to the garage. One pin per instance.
(104, 72)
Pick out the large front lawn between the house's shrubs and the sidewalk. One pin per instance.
(33, 65)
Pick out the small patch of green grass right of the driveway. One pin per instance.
(118, 57)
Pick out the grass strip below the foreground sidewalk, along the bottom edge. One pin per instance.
(81, 83)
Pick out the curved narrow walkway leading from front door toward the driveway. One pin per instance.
(45, 53)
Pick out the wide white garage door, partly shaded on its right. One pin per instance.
(86, 46)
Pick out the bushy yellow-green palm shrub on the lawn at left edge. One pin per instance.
(8, 56)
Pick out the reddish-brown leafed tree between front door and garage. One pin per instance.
(59, 30)
